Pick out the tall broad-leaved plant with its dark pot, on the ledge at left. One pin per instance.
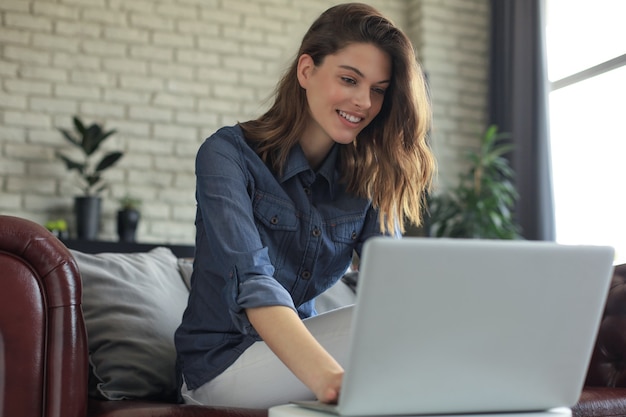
(88, 139)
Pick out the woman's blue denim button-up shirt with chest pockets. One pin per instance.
(262, 239)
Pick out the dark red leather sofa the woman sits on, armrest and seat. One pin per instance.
(43, 341)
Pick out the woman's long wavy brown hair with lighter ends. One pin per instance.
(390, 161)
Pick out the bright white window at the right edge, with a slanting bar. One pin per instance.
(586, 52)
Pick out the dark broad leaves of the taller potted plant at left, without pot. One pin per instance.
(88, 140)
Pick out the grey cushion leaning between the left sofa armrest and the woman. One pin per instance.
(132, 305)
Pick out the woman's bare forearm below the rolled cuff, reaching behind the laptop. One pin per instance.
(285, 334)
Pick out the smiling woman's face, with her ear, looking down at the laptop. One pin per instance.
(344, 93)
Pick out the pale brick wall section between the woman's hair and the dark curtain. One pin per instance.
(454, 49)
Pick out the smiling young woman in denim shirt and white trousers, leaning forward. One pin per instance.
(284, 200)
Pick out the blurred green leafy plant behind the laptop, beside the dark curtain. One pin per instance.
(482, 204)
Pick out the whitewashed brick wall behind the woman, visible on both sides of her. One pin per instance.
(167, 73)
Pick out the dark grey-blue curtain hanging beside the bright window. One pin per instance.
(518, 94)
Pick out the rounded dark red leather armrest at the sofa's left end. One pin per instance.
(44, 359)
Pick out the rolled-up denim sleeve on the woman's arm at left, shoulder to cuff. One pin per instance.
(226, 213)
